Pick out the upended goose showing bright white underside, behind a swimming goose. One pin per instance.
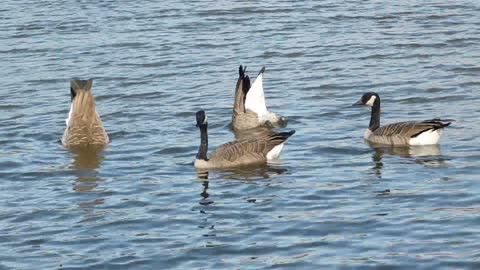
(249, 108)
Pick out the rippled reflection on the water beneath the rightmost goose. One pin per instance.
(427, 155)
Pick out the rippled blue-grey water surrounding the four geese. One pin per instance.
(330, 202)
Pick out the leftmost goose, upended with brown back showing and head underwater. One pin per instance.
(84, 127)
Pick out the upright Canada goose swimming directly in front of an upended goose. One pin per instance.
(239, 152)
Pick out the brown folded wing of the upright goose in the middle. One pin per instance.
(253, 149)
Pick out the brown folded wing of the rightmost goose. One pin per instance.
(411, 129)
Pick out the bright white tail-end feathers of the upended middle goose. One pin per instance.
(255, 99)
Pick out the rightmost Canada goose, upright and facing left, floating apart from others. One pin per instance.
(426, 132)
